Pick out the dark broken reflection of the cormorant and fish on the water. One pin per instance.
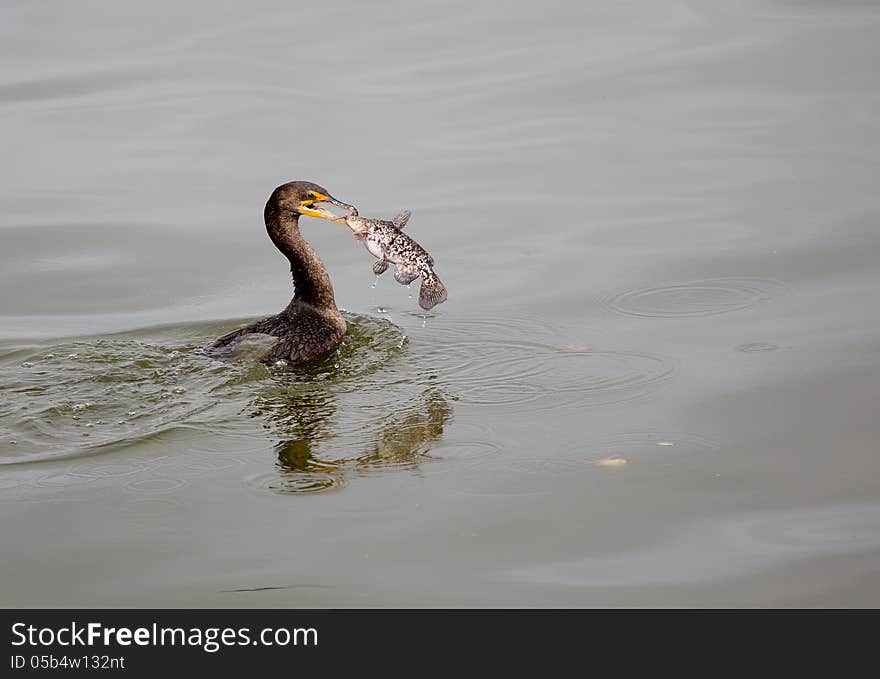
(316, 453)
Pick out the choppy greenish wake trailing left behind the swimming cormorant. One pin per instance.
(87, 395)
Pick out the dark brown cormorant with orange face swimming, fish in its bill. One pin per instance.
(311, 325)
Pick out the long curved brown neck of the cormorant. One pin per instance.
(310, 279)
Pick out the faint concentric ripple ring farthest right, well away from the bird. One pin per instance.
(695, 298)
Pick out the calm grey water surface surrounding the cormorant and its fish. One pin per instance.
(654, 382)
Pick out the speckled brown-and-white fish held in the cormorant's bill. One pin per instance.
(386, 241)
